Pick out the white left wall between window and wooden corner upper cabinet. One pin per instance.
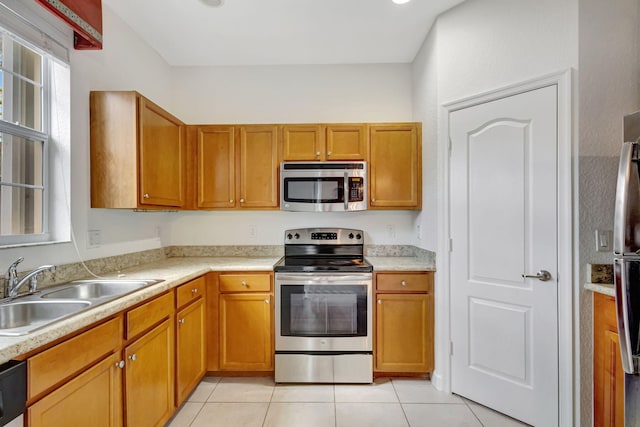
(125, 63)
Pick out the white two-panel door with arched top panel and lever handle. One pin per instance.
(503, 217)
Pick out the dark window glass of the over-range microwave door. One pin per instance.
(314, 190)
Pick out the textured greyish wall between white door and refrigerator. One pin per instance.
(609, 89)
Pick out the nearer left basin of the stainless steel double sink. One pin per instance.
(19, 318)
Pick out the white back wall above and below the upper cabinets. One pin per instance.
(290, 94)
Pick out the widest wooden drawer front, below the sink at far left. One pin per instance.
(69, 357)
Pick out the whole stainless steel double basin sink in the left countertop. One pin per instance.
(23, 315)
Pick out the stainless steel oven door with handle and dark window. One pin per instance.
(323, 312)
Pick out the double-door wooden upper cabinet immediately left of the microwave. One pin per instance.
(237, 167)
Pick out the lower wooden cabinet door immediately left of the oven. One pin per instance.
(245, 332)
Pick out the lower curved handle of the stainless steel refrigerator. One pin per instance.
(622, 315)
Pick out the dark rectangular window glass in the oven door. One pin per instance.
(324, 310)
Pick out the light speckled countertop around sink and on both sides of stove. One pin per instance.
(173, 272)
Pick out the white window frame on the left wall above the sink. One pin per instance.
(32, 26)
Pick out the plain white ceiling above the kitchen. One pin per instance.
(269, 32)
